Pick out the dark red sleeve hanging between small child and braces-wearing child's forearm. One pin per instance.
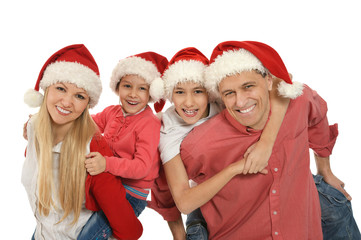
(162, 200)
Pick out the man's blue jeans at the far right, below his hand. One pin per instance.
(336, 213)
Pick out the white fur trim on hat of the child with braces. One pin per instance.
(183, 71)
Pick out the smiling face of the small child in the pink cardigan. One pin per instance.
(133, 93)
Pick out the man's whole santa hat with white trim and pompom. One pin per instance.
(234, 57)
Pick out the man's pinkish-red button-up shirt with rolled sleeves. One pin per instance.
(284, 203)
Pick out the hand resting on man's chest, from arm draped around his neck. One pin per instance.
(257, 157)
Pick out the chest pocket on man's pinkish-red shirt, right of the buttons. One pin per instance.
(297, 153)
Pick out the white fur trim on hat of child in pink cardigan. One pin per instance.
(133, 65)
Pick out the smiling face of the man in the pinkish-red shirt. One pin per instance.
(246, 97)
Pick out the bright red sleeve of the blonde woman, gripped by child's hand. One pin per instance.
(105, 192)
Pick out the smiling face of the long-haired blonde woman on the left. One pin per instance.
(65, 103)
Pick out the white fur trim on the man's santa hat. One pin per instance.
(229, 63)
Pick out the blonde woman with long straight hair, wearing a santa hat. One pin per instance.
(60, 135)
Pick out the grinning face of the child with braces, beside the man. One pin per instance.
(190, 101)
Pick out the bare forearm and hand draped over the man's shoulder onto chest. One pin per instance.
(258, 154)
